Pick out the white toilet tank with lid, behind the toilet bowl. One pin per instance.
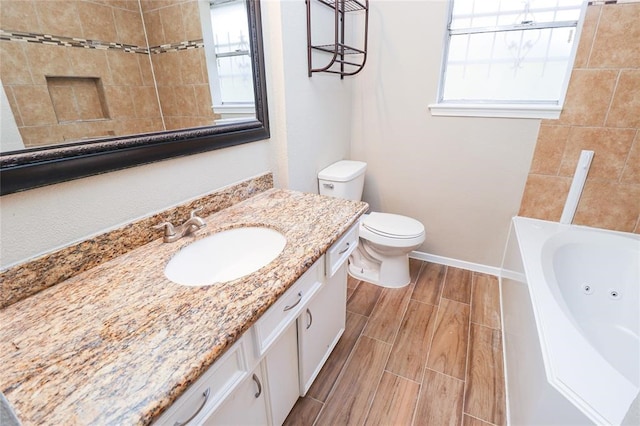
(344, 179)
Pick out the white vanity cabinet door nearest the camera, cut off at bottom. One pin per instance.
(245, 406)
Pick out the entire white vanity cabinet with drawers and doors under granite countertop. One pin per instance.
(259, 379)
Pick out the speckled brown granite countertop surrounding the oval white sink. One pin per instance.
(120, 343)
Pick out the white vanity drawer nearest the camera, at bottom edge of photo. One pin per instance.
(208, 392)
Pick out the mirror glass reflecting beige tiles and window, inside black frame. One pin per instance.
(140, 66)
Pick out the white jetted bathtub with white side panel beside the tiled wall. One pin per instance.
(570, 305)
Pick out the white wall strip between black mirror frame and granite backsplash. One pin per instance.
(43, 219)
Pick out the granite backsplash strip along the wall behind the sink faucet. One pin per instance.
(21, 281)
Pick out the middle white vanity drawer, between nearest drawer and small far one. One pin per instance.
(287, 308)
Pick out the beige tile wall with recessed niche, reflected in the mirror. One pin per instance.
(125, 79)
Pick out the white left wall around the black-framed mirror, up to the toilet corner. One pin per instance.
(309, 129)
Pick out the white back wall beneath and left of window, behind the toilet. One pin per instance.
(461, 177)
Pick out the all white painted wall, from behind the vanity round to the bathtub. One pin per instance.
(462, 177)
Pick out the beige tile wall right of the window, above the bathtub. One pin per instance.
(601, 113)
